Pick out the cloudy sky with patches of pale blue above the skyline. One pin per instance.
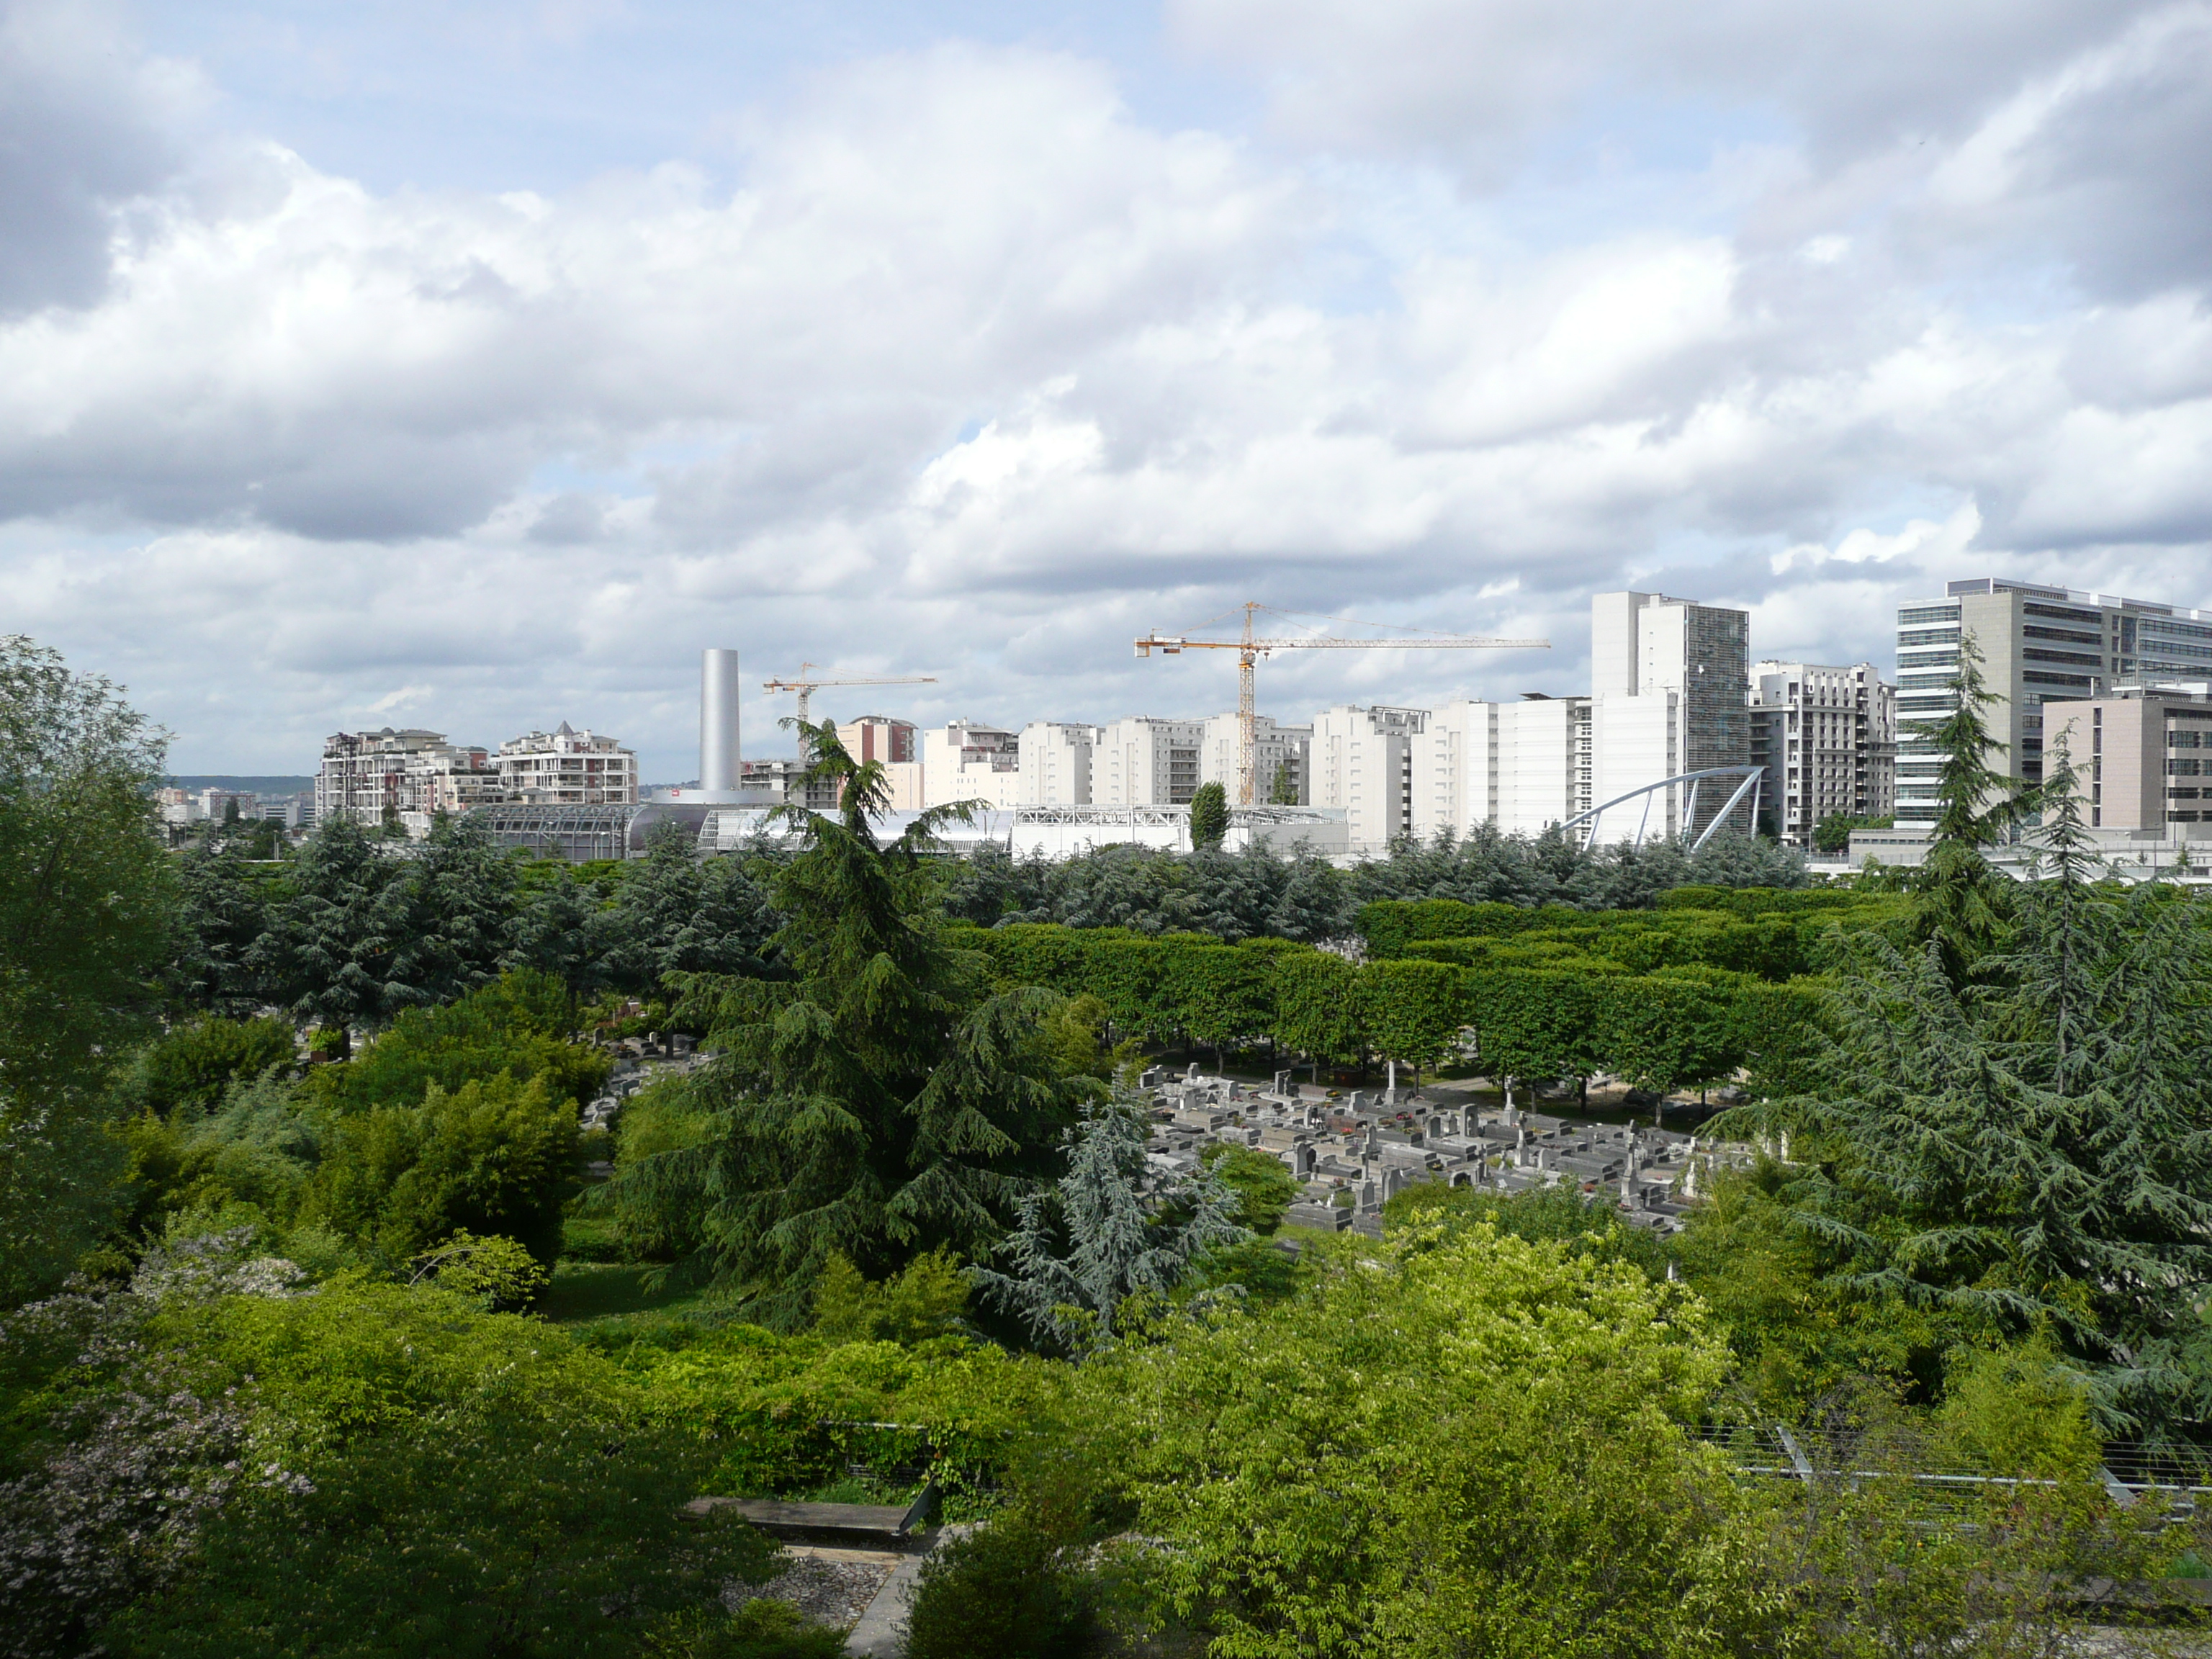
(474, 364)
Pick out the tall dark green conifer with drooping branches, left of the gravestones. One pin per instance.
(875, 1105)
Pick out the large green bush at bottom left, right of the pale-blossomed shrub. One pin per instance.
(466, 1485)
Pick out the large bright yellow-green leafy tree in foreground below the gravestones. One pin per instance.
(1271, 1490)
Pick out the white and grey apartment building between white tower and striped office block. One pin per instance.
(1828, 738)
